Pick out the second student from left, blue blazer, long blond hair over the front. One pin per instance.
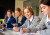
(20, 18)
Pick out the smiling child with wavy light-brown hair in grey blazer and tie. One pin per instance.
(31, 21)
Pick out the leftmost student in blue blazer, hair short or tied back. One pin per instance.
(9, 20)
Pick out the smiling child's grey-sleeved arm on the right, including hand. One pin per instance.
(35, 22)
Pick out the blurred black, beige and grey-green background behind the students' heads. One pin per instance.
(13, 4)
